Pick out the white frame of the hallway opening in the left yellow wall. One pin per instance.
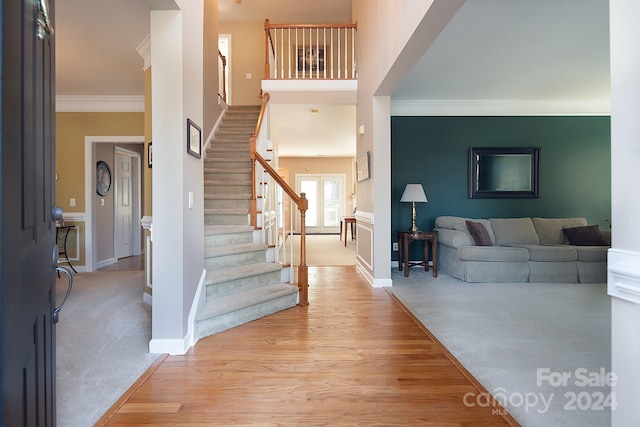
(89, 188)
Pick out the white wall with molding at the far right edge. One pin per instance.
(624, 256)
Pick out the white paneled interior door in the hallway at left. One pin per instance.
(125, 201)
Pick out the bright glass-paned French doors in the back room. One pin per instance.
(326, 202)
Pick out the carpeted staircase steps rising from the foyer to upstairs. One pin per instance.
(241, 285)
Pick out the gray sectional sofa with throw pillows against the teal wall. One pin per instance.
(522, 250)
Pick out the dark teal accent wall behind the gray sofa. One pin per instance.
(575, 167)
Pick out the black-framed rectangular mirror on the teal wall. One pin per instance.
(498, 172)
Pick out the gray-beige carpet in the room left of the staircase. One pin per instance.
(102, 343)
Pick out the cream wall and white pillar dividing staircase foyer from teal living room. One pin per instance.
(391, 37)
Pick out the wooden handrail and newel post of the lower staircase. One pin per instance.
(301, 202)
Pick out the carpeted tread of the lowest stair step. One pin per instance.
(230, 303)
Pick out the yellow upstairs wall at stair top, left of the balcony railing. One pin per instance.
(247, 56)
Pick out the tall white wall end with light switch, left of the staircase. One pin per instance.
(178, 231)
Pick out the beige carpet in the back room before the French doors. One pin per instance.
(325, 250)
